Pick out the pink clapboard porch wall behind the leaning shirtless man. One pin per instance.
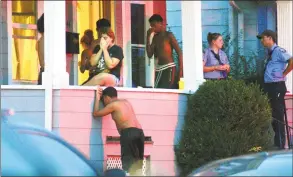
(161, 116)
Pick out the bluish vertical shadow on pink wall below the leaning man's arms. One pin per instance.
(96, 142)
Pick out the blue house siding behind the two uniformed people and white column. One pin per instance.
(215, 18)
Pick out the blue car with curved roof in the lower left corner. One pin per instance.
(28, 150)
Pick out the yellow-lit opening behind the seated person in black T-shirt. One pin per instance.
(88, 12)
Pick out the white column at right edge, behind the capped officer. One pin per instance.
(284, 24)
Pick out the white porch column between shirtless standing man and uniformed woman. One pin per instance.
(192, 44)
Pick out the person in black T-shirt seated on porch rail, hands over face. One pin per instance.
(108, 60)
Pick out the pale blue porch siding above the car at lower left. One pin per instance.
(29, 105)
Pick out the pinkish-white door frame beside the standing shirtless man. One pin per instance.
(127, 64)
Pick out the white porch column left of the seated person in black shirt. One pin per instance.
(55, 49)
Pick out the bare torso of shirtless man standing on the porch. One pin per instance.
(163, 49)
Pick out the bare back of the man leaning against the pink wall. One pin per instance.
(124, 115)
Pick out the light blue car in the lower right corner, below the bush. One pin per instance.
(277, 163)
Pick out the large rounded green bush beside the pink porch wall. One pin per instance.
(223, 119)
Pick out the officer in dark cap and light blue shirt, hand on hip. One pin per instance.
(278, 64)
